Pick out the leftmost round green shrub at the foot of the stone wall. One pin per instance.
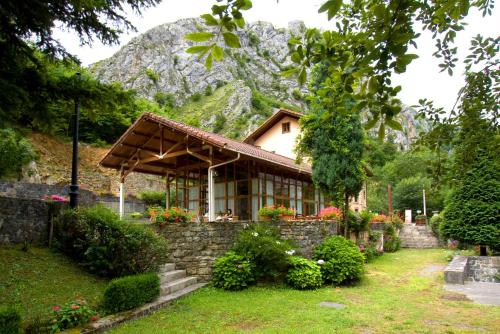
(232, 272)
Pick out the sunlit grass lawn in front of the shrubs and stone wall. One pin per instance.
(398, 294)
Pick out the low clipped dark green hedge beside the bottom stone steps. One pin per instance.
(125, 293)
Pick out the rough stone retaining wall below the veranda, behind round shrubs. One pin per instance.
(195, 246)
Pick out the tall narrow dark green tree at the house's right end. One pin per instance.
(334, 140)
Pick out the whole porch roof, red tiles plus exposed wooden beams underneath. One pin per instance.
(155, 145)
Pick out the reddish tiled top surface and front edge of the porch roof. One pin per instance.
(215, 140)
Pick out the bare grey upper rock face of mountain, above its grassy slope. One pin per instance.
(156, 61)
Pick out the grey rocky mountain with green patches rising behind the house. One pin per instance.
(236, 96)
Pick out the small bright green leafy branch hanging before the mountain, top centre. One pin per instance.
(225, 19)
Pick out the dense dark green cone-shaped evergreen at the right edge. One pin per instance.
(472, 213)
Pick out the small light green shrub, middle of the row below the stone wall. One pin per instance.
(303, 274)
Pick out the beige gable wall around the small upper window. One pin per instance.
(280, 143)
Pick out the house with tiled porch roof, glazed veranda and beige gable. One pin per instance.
(209, 173)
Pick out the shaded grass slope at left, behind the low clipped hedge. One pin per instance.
(39, 279)
